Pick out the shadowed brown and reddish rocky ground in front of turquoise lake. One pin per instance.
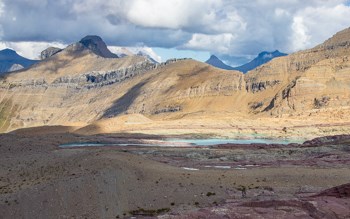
(38, 179)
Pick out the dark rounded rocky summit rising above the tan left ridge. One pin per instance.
(97, 46)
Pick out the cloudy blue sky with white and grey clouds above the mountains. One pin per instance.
(234, 30)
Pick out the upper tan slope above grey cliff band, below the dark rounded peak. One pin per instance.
(72, 61)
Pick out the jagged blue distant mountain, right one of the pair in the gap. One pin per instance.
(262, 58)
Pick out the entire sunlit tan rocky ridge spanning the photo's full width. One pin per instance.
(78, 87)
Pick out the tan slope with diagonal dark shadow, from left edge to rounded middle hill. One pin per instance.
(84, 98)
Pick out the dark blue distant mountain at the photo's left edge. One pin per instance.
(11, 61)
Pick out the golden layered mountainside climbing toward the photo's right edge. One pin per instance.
(317, 78)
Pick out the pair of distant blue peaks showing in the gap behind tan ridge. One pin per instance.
(261, 59)
